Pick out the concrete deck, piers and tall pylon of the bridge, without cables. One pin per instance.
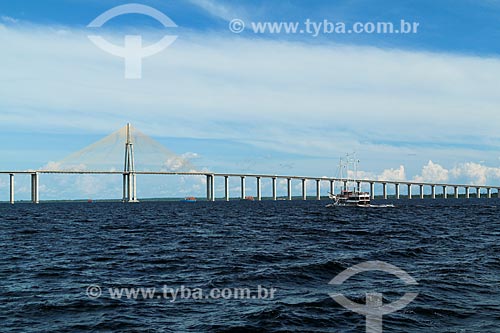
(129, 176)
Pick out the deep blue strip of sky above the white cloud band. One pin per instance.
(465, 26)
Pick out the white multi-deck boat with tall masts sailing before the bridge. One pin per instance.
(350, 194)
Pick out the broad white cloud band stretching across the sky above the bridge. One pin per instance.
(292, 97)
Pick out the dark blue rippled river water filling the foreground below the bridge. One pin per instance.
(57, 258)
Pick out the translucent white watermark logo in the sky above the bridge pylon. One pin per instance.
(132, 52)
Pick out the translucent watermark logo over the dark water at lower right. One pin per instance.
(374, 308)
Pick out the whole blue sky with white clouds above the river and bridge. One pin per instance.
(420, 106)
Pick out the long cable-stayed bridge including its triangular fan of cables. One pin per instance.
(129, 153)
